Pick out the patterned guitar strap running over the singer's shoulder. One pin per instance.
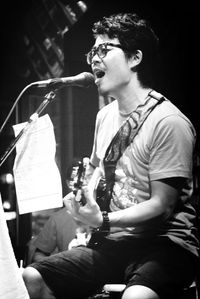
(123, 138)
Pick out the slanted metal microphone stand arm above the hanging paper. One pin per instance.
(47, 99)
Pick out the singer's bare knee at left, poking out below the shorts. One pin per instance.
(33, 281)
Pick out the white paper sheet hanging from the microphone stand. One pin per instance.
(37, 177)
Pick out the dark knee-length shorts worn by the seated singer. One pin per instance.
(159, 264)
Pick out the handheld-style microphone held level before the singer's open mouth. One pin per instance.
(82, 80)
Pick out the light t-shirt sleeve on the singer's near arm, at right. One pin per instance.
(171, 149)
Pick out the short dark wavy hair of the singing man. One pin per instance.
(134, 33)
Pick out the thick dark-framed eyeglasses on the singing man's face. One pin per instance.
(101, 51)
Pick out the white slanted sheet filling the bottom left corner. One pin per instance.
(11, 282)
